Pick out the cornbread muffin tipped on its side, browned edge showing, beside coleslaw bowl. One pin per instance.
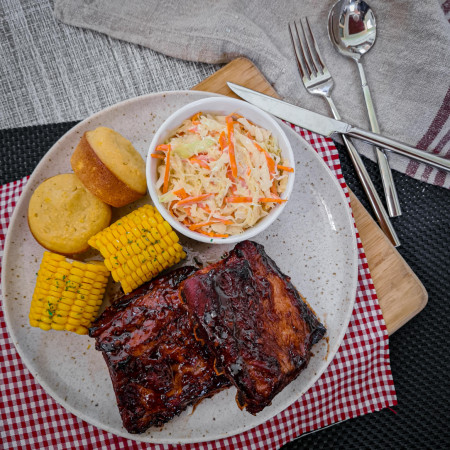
(110, 167)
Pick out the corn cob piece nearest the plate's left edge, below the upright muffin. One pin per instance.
(67, 295)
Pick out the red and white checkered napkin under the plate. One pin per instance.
(358, 380)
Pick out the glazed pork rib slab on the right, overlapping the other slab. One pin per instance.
(254, 320)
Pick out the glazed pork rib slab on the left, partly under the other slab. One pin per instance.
(157, 366)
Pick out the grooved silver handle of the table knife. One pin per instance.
(400, 148)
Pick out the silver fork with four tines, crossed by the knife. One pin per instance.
(318, 81)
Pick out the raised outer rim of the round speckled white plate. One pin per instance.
(140, 438)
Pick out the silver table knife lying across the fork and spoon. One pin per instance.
(327, 126)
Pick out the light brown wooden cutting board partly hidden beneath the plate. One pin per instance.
(400, 292)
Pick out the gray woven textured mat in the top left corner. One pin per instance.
(51, 72)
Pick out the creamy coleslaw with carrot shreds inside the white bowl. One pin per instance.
(224, 175)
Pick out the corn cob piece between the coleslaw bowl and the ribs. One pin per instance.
(138, 247)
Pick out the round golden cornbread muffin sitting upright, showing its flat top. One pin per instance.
(63, 214)
